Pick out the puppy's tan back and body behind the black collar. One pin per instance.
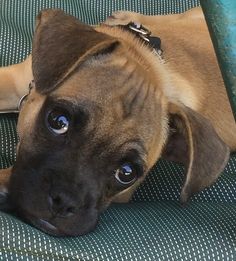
(196, 79)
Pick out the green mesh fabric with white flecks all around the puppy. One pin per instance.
(153, 226)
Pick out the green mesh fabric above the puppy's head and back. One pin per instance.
(17, 18)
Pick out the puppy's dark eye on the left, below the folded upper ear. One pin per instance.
(58, 121)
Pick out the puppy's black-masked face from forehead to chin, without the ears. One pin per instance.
(81, 146)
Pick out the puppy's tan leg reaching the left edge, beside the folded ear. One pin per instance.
(14, 82)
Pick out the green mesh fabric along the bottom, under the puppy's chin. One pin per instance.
(154, 231)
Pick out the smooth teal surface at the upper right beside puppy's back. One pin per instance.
(221, 19)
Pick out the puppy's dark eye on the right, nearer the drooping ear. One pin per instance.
(126, 174)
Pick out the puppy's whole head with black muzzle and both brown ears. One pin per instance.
(93, 126)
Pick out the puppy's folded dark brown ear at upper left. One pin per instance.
(60, 44)
